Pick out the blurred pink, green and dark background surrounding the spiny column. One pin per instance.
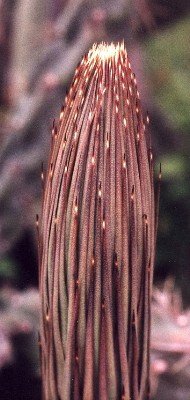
(41, 42)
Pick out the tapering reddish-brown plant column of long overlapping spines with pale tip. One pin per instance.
(97, 238)
